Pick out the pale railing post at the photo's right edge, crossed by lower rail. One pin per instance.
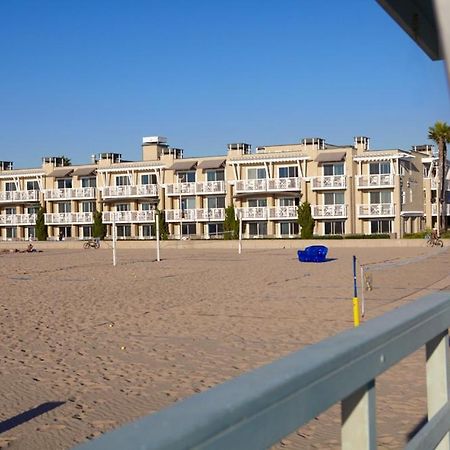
(438, 379)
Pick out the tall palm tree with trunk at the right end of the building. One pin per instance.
(440, 133)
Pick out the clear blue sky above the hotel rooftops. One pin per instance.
(87, 76)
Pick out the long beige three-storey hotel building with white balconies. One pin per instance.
(351, 189)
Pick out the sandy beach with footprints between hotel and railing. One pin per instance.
(87, 347)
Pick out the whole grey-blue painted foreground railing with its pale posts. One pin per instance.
(256, 410)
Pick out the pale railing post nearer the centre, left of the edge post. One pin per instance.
(358, 418)
